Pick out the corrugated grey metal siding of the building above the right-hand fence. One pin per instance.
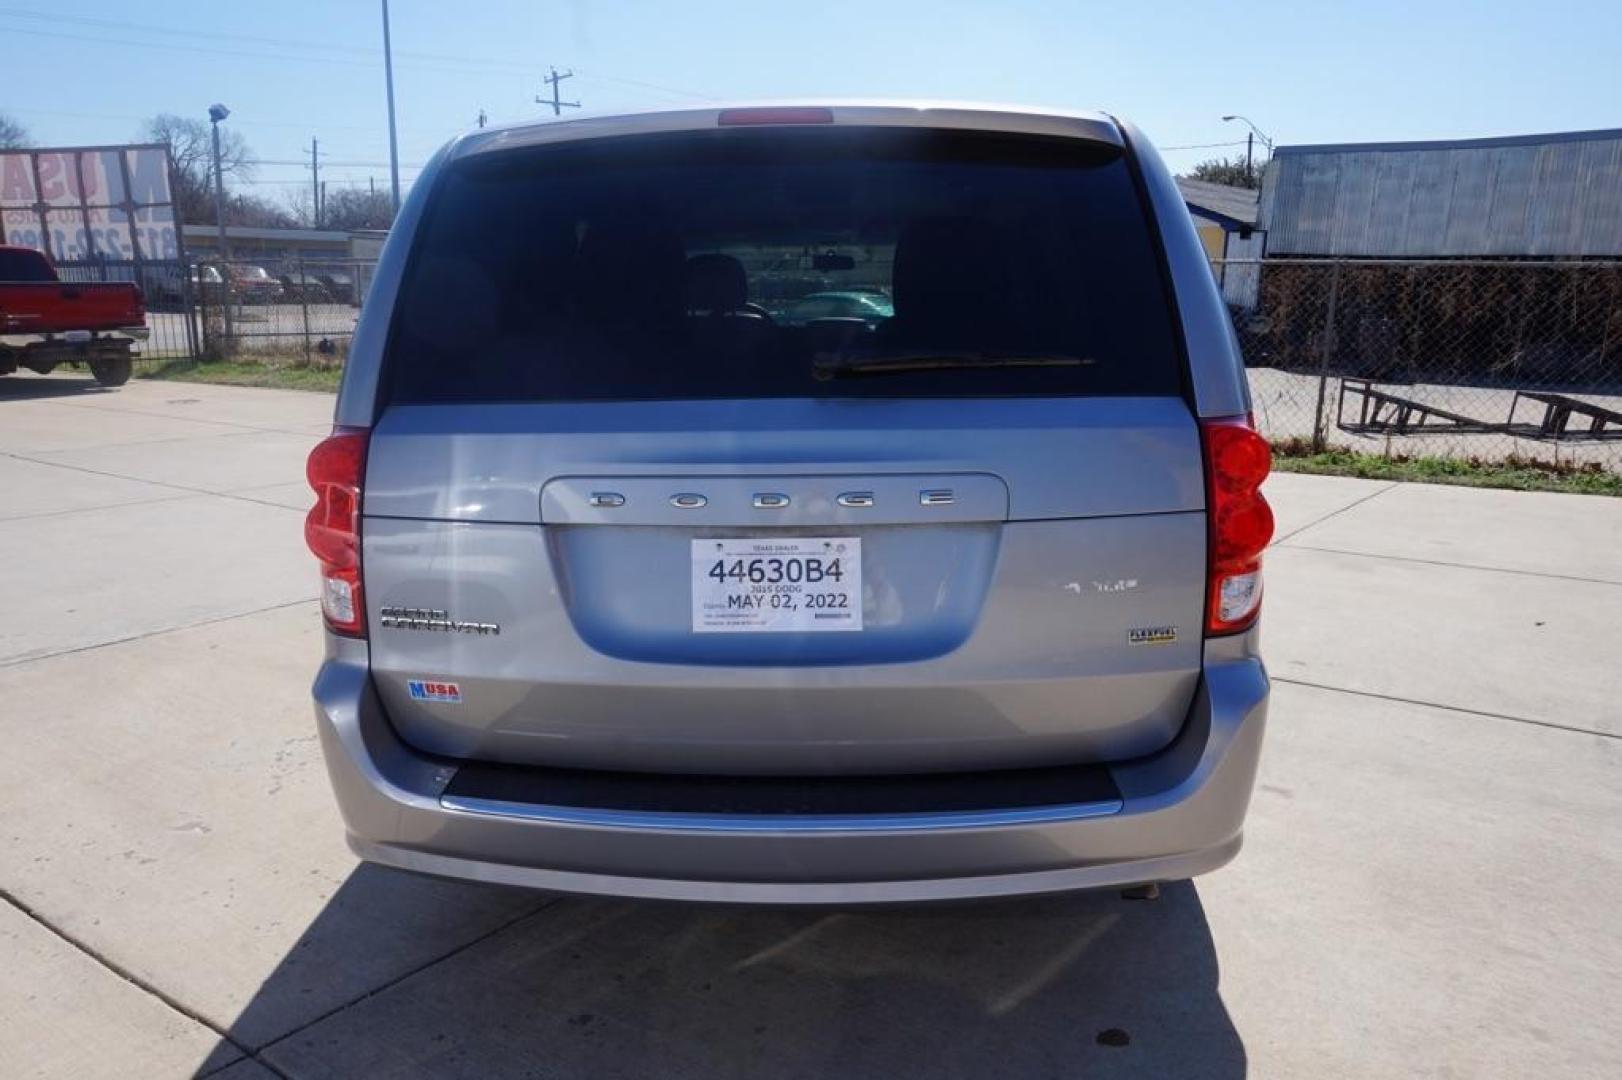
(1529, 195)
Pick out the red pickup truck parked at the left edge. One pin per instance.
(46, 322)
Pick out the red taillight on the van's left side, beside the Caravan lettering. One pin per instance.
(333, 528)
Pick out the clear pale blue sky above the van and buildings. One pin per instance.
(1307, 72)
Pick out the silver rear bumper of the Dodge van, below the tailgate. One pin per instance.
(1180, 815)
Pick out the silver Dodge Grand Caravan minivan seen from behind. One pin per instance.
(637, 588)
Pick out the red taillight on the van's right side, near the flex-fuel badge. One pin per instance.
(1242, 523)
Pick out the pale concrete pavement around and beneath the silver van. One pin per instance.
(1428, 885)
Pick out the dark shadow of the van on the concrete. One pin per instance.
(606, 988)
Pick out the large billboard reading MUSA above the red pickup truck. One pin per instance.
(90, 204)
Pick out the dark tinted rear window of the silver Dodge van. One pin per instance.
(775, 264)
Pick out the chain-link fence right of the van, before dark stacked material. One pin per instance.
(1488, 361)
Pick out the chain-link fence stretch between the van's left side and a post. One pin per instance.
(280, 311)
